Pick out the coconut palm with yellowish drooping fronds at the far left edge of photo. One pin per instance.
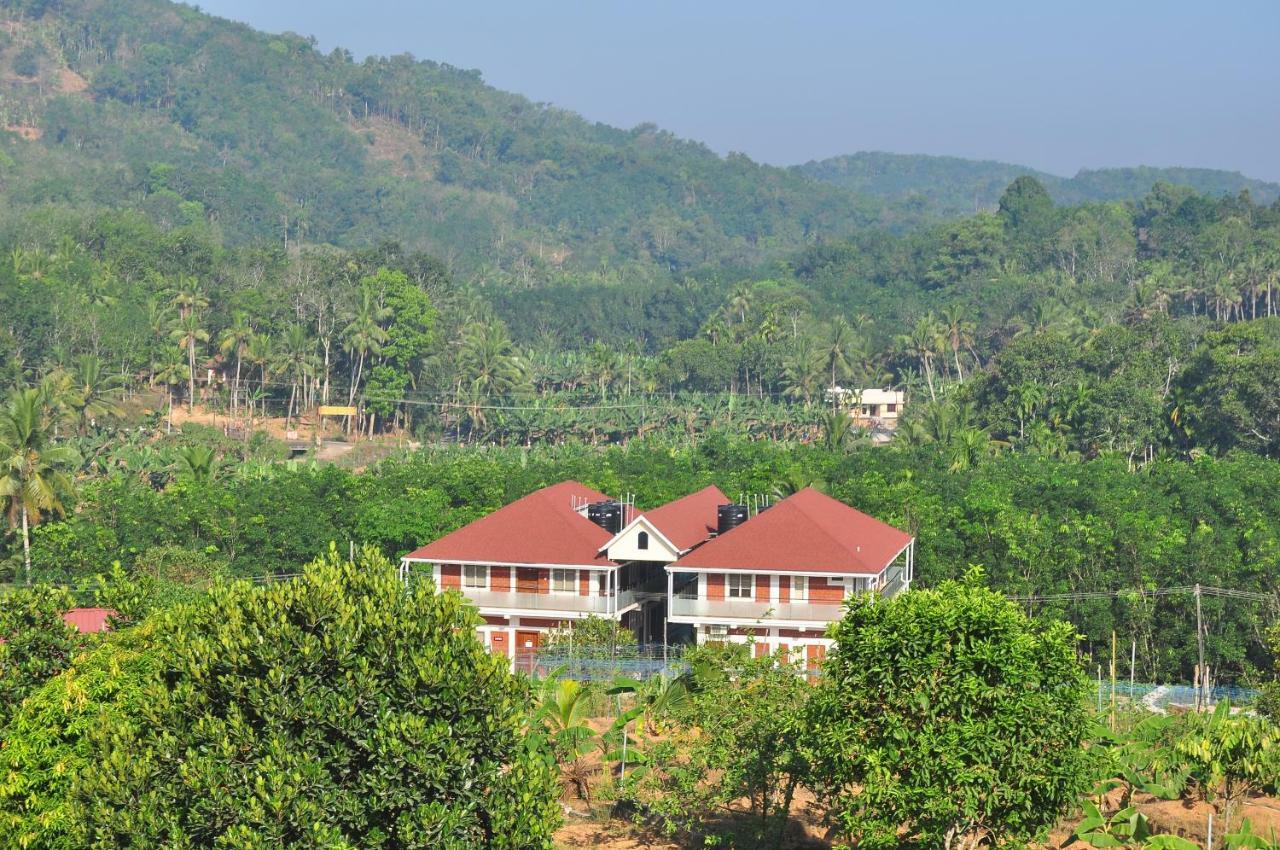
(35, 473)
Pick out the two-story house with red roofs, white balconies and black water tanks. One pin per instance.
(568, 552)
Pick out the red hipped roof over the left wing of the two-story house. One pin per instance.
(542, 528)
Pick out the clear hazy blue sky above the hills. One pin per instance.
(1059, 86)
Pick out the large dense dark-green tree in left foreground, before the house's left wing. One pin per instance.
(354, 714)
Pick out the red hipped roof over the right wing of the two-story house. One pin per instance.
(804, 533)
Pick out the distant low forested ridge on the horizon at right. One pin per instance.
(956, 186)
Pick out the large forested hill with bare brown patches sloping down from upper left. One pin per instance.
(154, 104)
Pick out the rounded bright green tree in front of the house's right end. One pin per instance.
(949, 712)
